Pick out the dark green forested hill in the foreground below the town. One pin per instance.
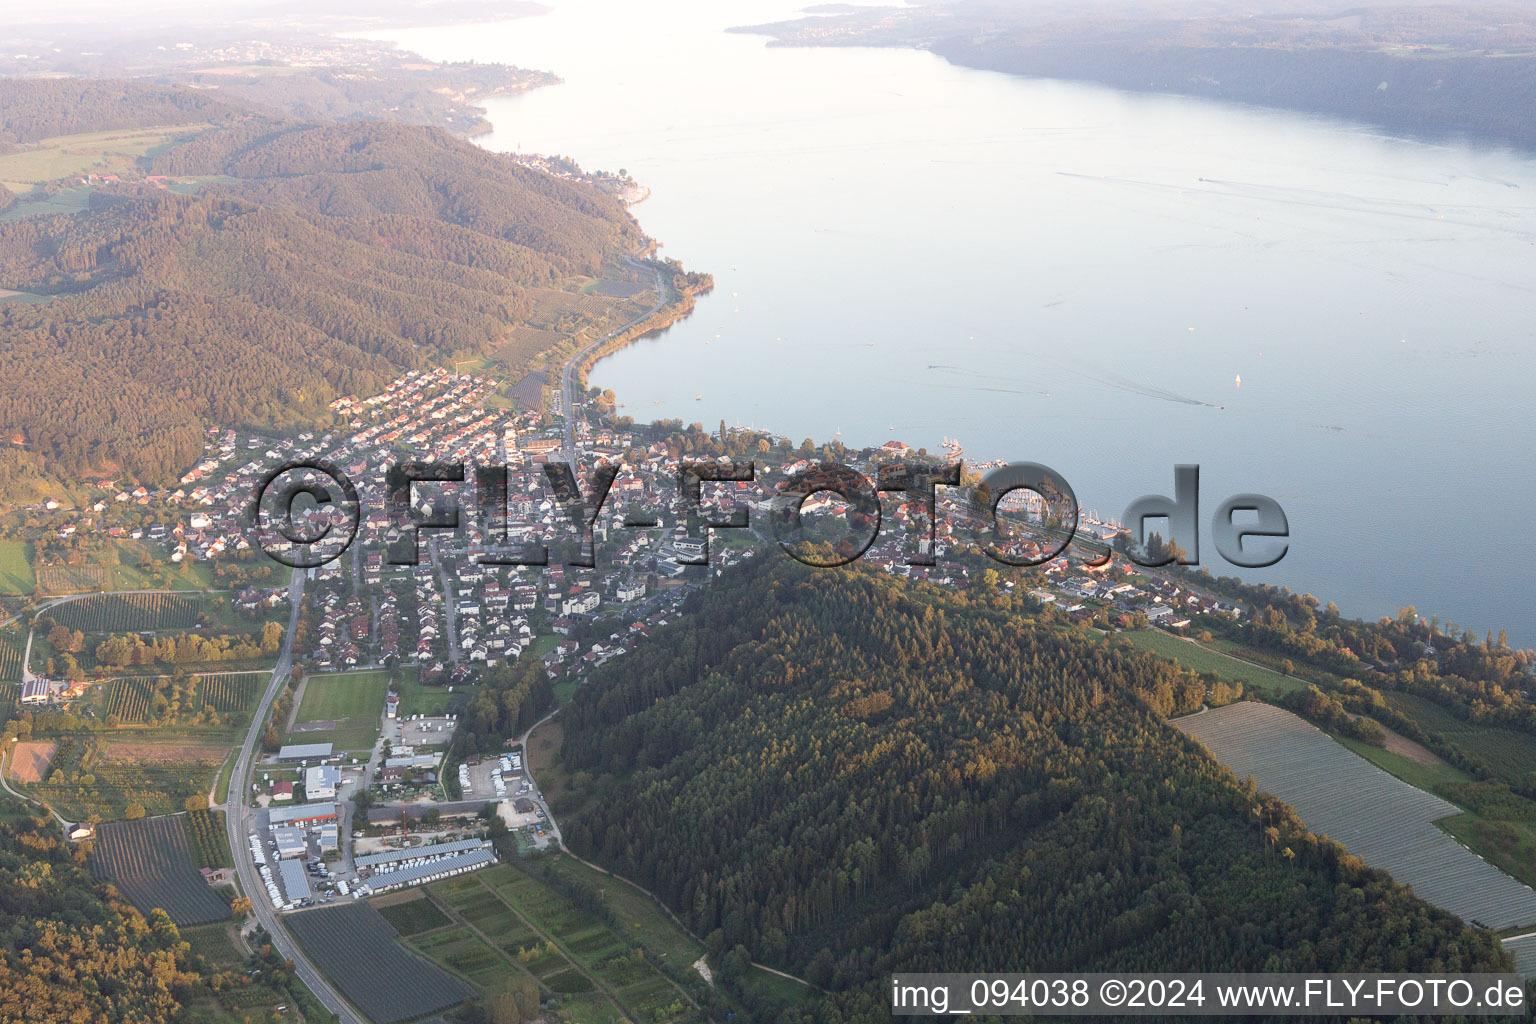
(847, 776)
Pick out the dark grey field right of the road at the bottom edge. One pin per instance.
(356, 948)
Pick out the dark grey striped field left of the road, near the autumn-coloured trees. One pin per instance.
(150, 864)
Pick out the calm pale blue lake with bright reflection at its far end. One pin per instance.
(1078, 277)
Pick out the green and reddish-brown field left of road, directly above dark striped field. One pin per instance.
(105, 776)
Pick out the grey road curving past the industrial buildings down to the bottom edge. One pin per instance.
(237, 811)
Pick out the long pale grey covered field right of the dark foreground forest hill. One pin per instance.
(1380, 819)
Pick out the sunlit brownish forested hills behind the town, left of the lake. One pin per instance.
(296, 265)
